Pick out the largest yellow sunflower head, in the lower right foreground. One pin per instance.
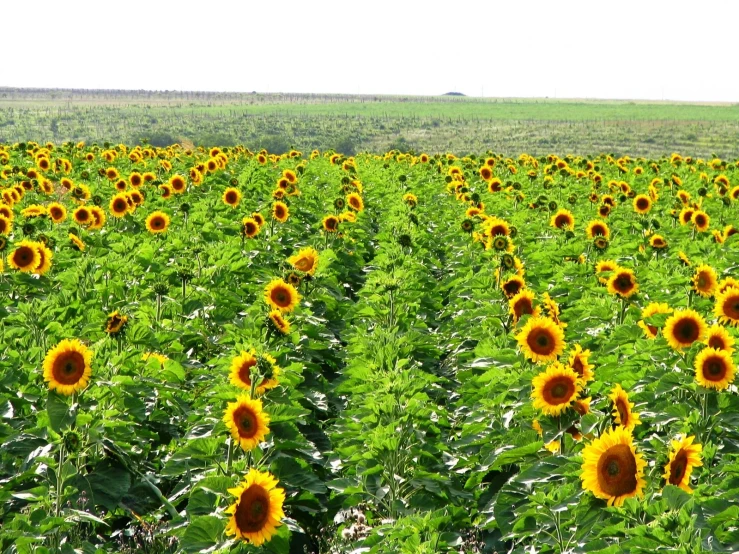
(612, 469)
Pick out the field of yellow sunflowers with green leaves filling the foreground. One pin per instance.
(218, 350)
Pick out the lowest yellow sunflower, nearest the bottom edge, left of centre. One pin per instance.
(256, 514)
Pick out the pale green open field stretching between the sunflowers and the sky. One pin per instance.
(352, 123)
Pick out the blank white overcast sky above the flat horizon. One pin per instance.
(649, 49)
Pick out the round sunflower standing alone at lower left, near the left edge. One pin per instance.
(67, 367)
